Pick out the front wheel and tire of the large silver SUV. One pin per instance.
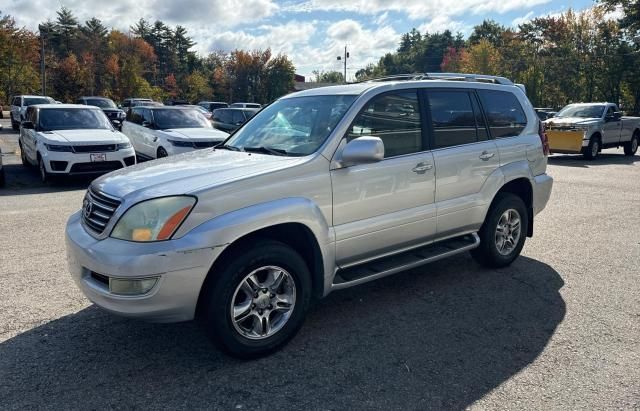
(248, 337)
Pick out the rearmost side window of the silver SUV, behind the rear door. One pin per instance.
(504, 113)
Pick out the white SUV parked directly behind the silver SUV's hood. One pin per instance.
(157, 132)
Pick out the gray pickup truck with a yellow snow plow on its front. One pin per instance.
(587, 128)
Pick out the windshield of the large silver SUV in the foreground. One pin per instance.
(294, 126)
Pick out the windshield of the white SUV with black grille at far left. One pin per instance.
(72, 119)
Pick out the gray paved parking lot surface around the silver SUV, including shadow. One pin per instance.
(558, 329)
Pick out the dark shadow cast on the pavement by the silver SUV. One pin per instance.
(438, 337)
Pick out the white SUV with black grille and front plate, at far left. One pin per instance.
(72, 139)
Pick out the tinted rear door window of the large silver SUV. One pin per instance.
(453, 118)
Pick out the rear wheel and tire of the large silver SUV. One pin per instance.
(489, 253)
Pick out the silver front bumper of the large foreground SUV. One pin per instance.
(180, 265)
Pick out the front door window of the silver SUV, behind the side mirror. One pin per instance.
(393, 117)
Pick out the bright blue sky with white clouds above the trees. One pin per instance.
(311, 32)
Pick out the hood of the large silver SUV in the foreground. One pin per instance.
(190, 172)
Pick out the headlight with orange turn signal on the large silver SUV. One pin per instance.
(153, 220)
